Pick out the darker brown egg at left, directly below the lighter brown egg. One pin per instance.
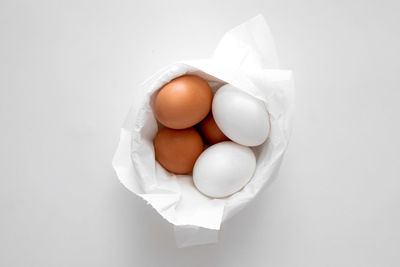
(178, 150)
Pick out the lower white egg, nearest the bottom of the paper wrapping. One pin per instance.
(223, 169)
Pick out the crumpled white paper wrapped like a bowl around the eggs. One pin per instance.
(246, 58)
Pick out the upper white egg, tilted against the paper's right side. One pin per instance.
(240, 116)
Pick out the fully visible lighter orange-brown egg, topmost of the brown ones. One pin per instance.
(183, 102)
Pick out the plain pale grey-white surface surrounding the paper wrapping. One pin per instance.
(68, 71)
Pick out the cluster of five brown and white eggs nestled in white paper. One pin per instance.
(228, 122)
